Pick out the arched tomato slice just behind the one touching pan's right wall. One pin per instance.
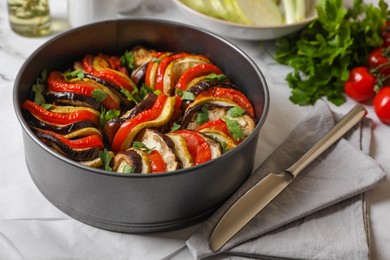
(195, 72)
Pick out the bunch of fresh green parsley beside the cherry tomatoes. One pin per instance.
(323, 53)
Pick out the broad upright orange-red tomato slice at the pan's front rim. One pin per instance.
(197, 146)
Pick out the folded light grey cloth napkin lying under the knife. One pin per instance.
(321, 214)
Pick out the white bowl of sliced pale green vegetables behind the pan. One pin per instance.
(241, 31)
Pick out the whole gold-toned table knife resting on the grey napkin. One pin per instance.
(260, 195)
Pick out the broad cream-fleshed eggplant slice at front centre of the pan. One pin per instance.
(153, 139)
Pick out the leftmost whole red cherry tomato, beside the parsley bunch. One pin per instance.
(360, 84)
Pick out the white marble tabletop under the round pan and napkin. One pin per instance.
(29, 223)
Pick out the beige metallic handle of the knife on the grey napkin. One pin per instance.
(342, 127)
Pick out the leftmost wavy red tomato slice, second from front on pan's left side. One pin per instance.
(71, 116)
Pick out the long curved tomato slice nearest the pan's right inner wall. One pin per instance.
(229, 93)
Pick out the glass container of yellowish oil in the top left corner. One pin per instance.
(29, 17)
